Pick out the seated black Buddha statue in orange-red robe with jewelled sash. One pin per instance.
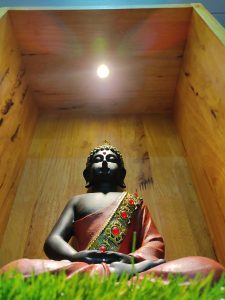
(102, 225)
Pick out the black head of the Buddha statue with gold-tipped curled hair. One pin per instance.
(105, 163)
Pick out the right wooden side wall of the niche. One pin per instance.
(200, 119)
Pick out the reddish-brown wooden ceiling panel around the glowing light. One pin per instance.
(143, 48)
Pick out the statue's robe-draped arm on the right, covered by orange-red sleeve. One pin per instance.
(150, 245)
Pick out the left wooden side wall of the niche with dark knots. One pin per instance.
(17, 119)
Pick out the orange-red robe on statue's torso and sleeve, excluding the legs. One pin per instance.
(149, 243)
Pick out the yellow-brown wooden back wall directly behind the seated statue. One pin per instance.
(156, 168)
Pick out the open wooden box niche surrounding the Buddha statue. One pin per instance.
(163, 106)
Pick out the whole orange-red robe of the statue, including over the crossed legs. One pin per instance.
(149, 246)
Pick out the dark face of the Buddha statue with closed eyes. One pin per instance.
(104, 165)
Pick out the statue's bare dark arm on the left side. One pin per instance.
(56, 245)
